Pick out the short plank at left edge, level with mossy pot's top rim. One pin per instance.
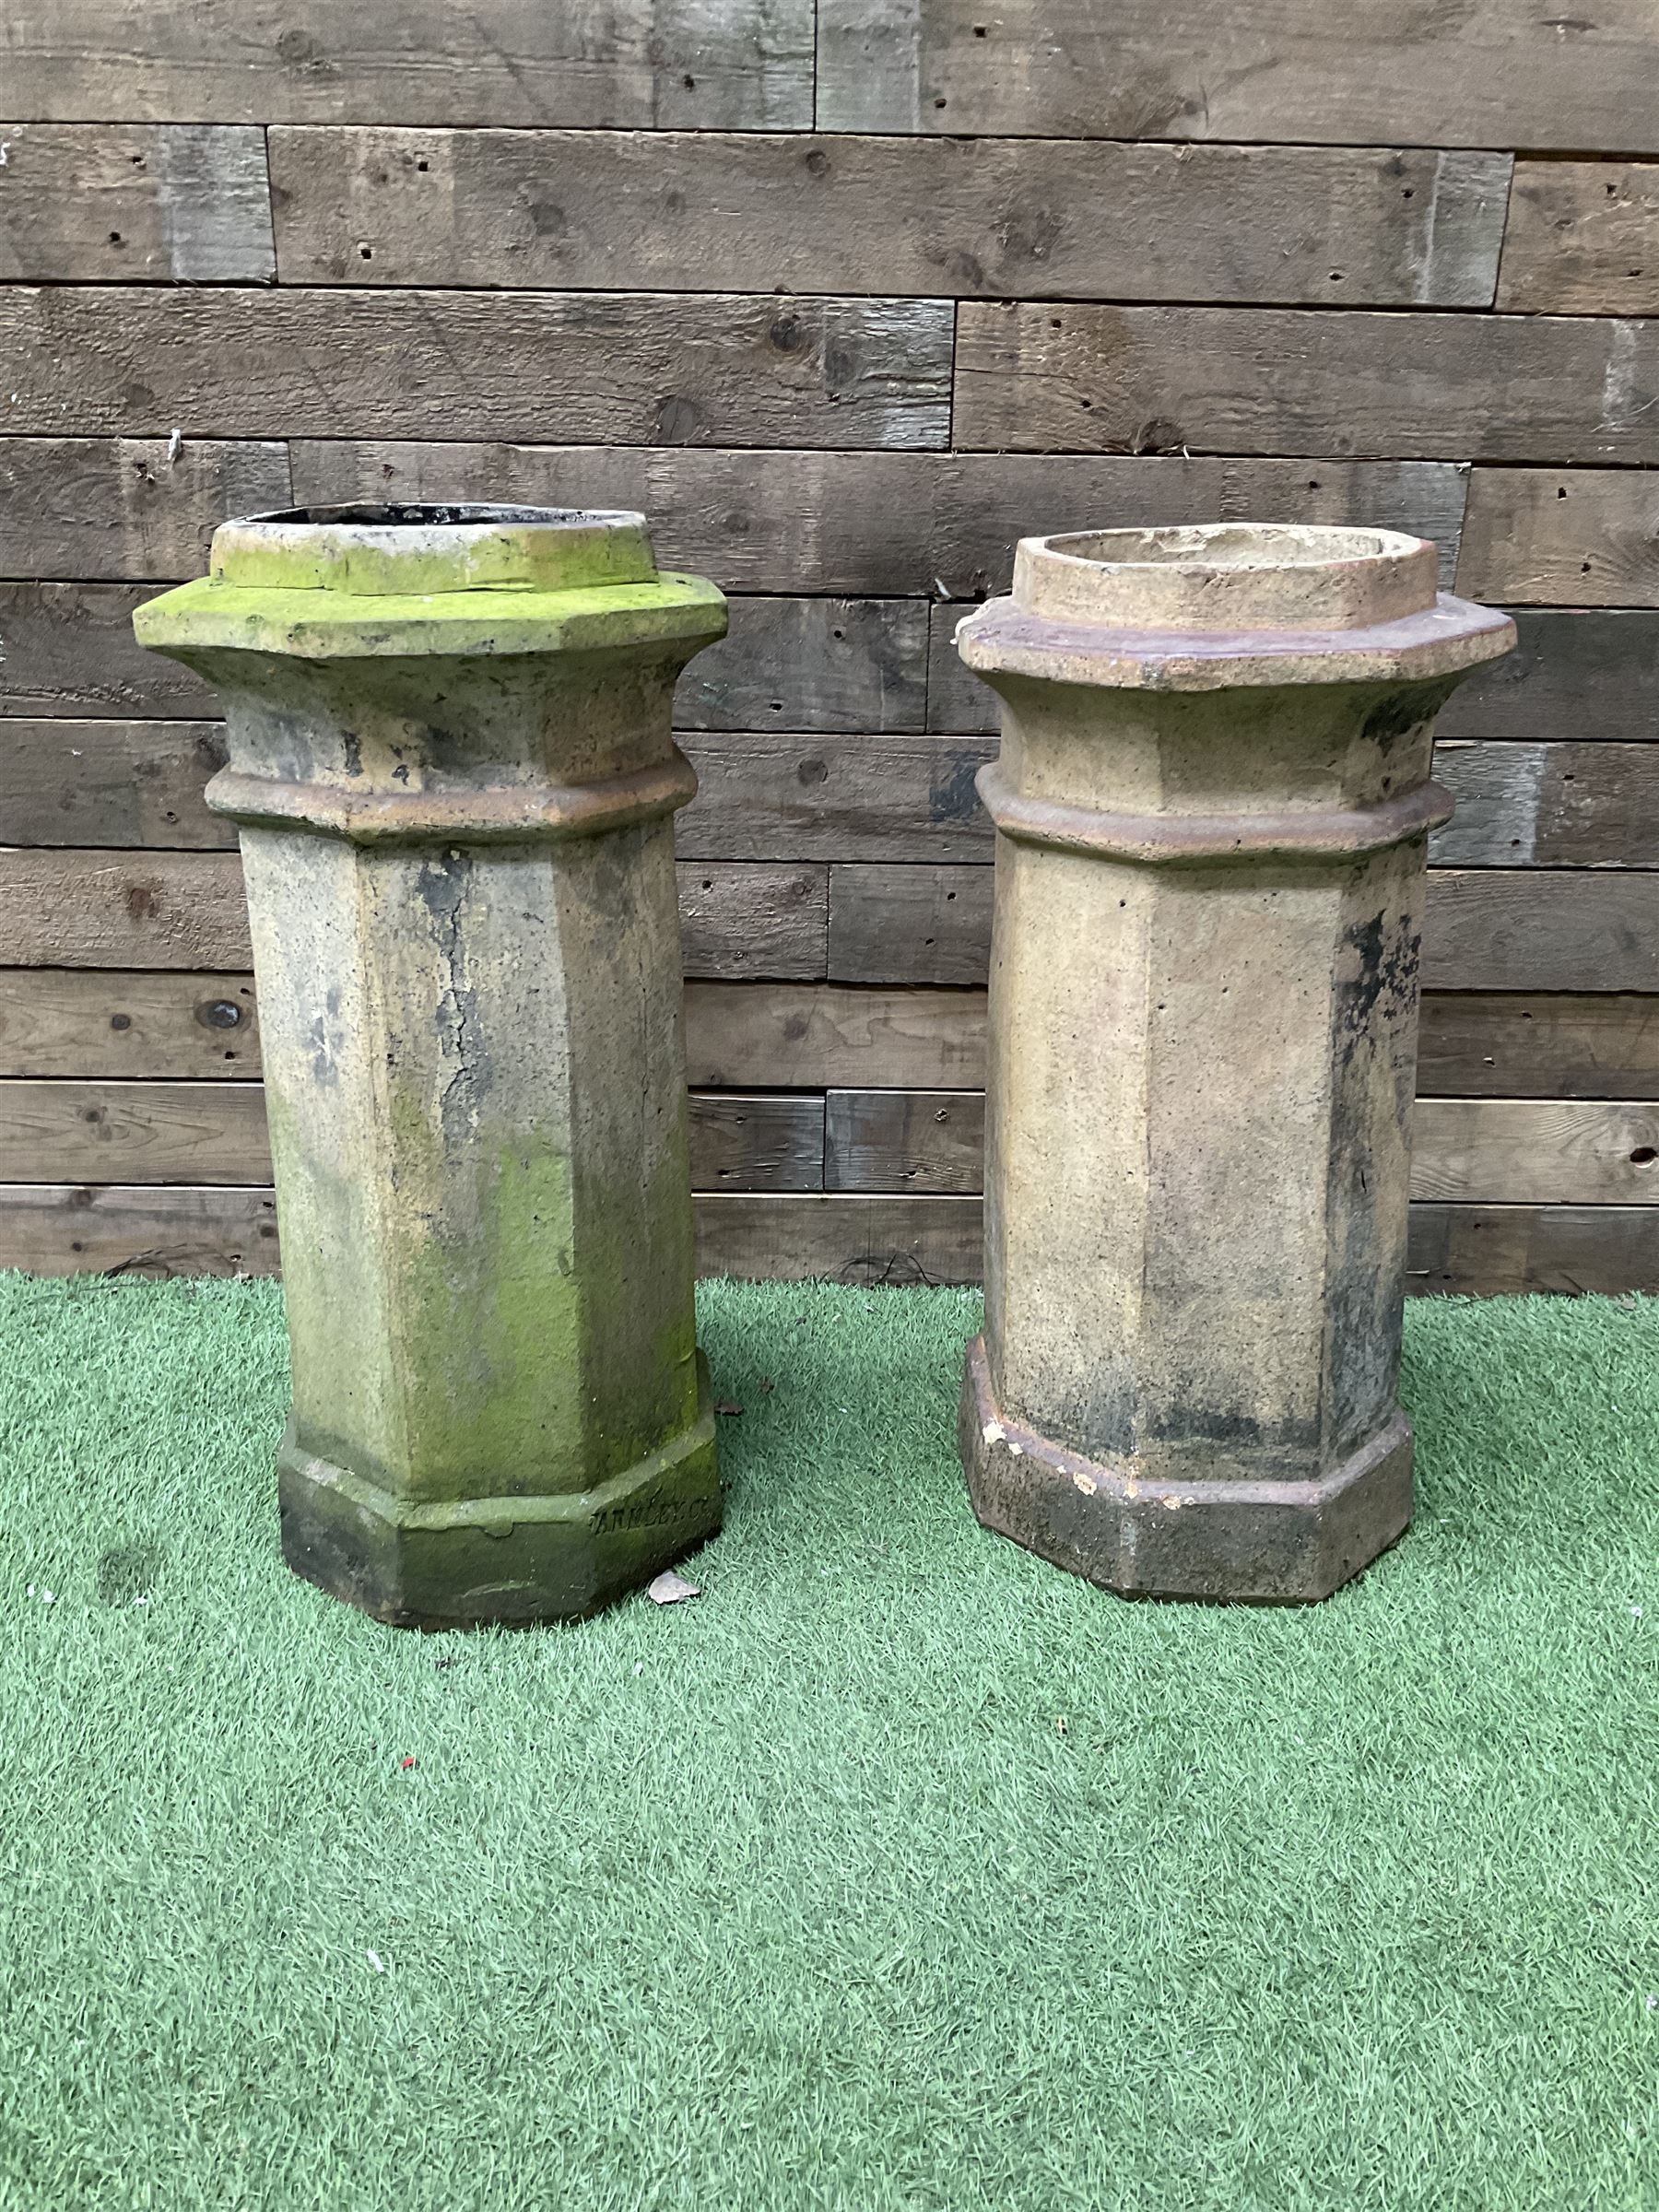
(127, 508)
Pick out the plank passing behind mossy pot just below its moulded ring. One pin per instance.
(185, 910)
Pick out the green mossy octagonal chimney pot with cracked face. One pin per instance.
(452, 769)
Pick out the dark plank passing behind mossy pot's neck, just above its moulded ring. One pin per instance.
(793, 665)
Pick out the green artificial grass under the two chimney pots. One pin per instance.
(897, 1870)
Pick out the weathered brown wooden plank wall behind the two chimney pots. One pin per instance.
(846, 298)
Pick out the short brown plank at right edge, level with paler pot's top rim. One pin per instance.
(1563, 536)
